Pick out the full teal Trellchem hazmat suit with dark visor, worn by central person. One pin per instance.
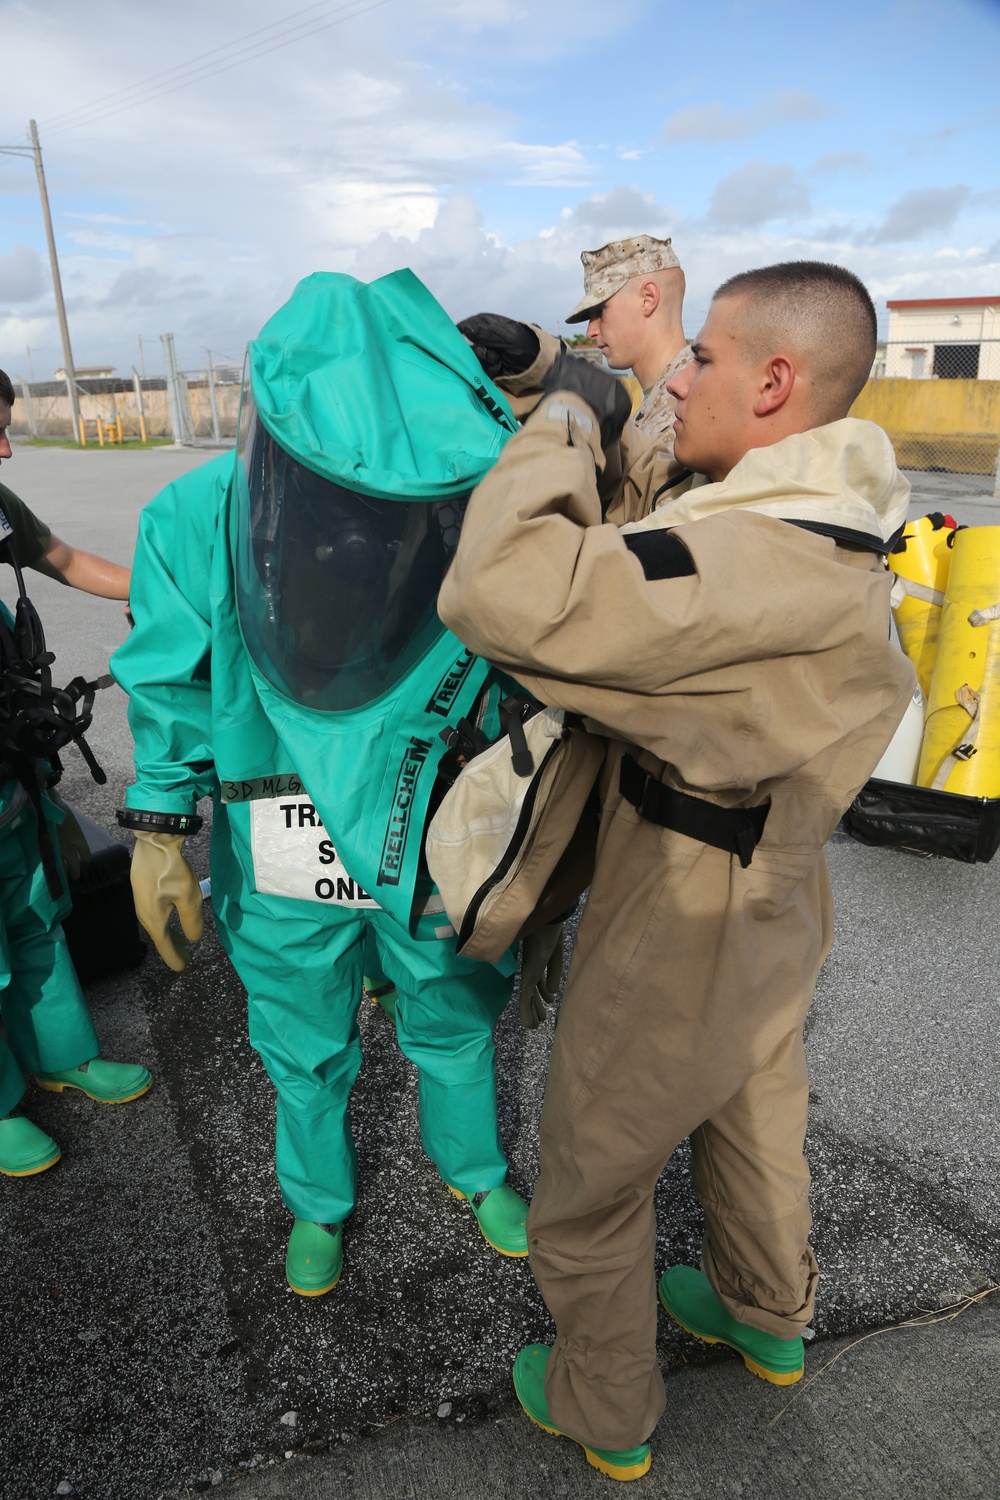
(289, 662)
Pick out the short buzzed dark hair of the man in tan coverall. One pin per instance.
(819, 311)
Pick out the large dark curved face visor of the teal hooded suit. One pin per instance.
(337, 590)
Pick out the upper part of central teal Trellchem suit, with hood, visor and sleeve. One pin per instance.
(308, 653)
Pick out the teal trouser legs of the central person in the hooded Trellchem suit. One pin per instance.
(302, 964)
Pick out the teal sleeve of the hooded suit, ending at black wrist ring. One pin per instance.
(166, 664)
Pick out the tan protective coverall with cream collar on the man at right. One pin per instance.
(767, 674)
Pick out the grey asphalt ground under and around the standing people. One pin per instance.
(151, 1346)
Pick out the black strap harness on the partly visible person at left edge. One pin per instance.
(37, 719)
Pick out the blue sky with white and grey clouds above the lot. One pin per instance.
(203, 157)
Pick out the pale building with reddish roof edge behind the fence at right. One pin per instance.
(945, 338)
